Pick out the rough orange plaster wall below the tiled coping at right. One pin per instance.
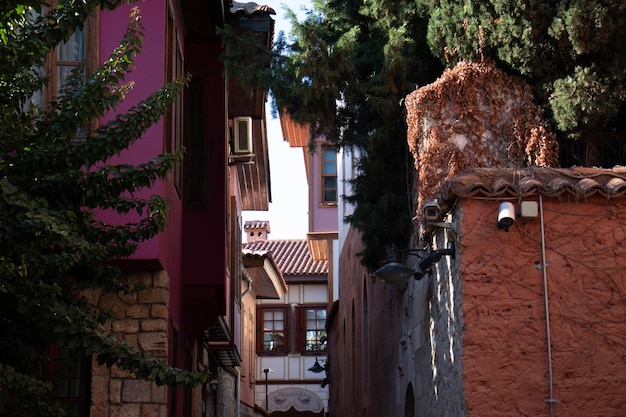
(505, 354)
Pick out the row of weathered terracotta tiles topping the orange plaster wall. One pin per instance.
(579, 182)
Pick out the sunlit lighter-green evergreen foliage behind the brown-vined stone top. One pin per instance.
(572, 51)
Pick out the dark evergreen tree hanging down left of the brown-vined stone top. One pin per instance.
(345, 71)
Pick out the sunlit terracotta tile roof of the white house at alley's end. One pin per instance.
(291, 255)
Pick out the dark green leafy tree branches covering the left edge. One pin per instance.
(52, 245)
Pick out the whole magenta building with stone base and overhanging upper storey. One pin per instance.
(190, 312)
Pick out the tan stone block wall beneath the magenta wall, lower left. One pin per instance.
(141, 320)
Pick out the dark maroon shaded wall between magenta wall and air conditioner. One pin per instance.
(205, 240)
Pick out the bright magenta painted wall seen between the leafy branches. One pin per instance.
(147, 76)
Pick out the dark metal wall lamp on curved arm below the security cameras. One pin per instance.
(395, 272)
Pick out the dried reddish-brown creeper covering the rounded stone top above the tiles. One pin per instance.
(475, 116)
